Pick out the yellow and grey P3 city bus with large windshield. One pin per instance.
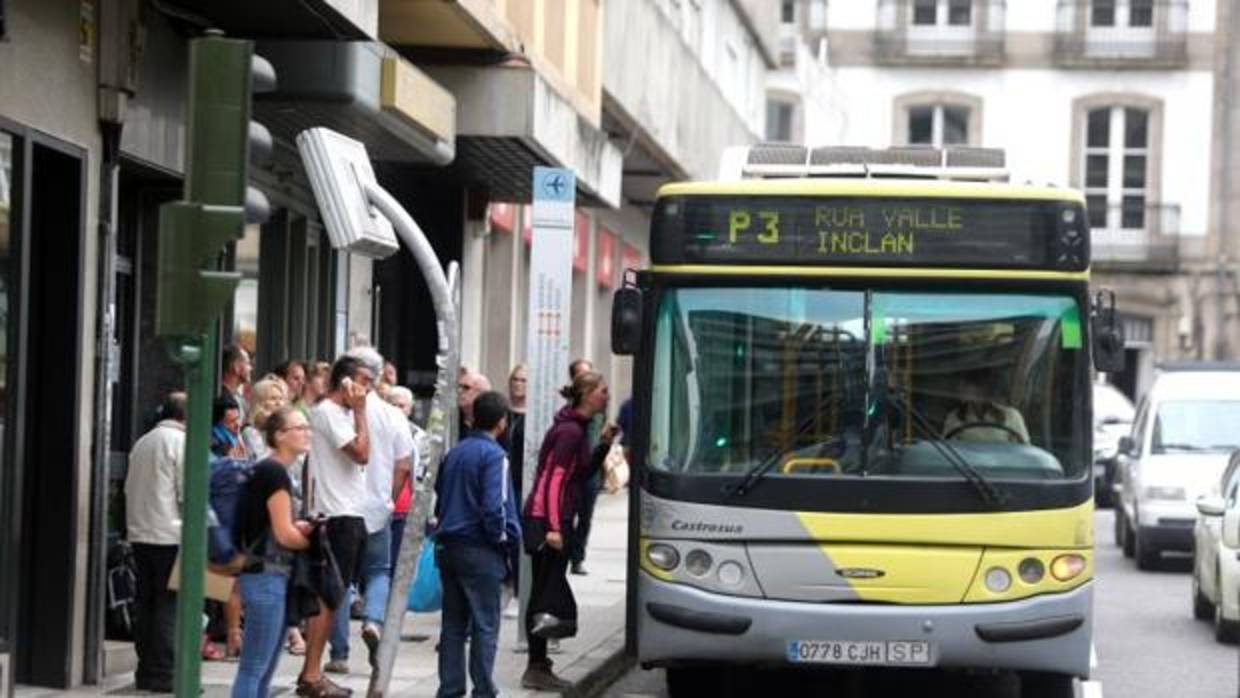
(862, 418)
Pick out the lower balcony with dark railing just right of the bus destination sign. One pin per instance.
(1136, 239)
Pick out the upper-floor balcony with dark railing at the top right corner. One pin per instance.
(1138, 34)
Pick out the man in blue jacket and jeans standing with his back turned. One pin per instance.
(478, 529)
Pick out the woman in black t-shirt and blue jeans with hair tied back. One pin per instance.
(265, 530)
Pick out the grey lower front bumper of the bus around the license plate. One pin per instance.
(683, 625)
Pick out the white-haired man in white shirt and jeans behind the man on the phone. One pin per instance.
(392, 457)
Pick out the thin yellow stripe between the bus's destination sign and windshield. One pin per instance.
(870, 272)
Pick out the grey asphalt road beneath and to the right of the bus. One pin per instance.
(1148, 647)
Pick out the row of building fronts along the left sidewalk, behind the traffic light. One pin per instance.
(457, 102)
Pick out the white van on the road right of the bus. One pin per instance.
(1186, 428)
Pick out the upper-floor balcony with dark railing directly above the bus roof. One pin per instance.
(973, 39)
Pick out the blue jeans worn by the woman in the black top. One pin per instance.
(262, 597)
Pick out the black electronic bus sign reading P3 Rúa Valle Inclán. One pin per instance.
(870, 231)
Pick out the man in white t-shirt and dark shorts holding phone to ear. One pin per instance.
(340, 448)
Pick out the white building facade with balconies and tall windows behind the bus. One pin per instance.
(1120, 100)
